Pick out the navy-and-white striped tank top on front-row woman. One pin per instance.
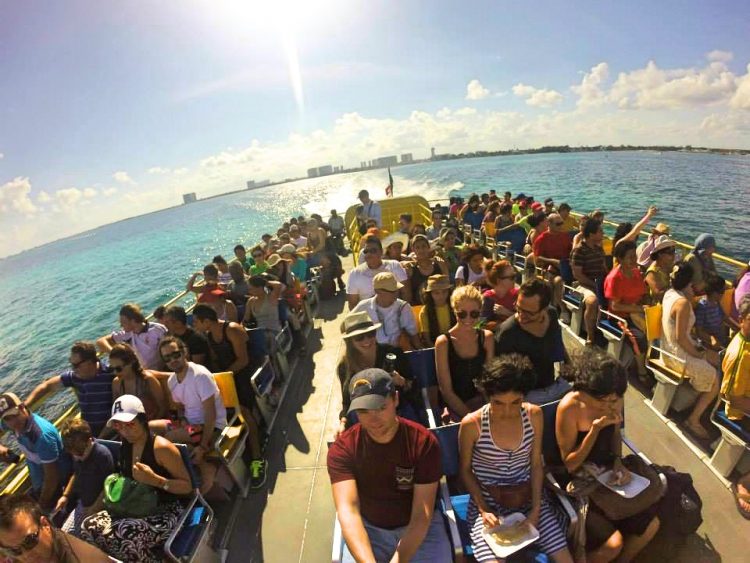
(496, 466)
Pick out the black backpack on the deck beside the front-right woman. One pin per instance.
(680, 507)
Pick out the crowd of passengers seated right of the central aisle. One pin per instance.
(499, 353)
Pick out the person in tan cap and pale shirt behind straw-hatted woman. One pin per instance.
(394, 315)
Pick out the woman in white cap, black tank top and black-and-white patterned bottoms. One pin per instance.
(151, 460)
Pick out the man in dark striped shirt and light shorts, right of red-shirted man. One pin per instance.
(589, 269)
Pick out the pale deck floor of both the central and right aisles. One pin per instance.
(292, 520)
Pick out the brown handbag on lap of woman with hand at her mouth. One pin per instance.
(616, 507)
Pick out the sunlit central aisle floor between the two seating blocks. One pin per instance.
(293, 520)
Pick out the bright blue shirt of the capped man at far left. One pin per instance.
(41, 443)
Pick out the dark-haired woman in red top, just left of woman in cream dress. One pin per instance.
(625, 290)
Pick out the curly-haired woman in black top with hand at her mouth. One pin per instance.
(588, 430)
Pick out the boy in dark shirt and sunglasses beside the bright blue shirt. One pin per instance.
(92, 464)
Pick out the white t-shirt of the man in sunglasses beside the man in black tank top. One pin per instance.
(198, 385)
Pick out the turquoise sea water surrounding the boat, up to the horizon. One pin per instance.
(72, 289)
